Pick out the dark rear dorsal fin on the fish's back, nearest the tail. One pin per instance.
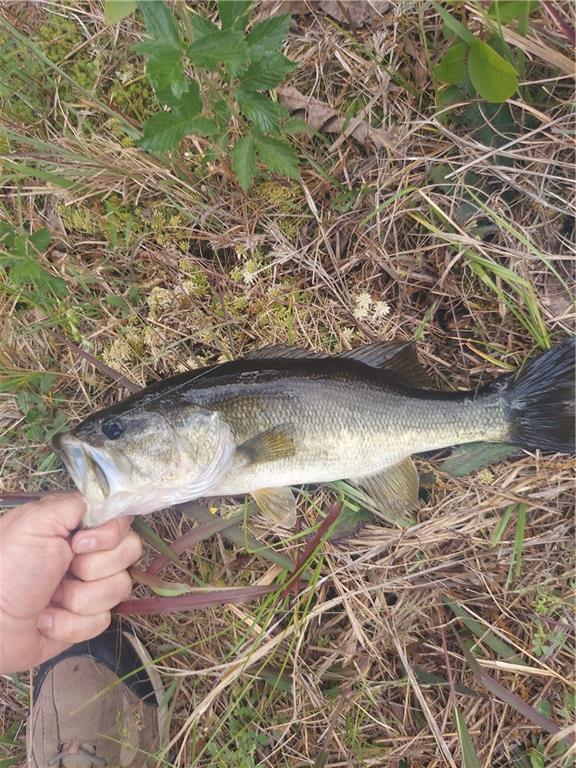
(397, 356)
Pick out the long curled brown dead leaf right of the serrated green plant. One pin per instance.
(321, 117)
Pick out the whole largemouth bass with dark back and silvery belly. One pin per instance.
(285, 416)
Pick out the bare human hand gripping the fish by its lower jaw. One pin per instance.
(57, 588)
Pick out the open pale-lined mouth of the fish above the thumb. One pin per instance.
(87, 465)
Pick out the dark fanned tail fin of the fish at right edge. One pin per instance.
(541, 401)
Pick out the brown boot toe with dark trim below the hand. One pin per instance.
(97, 704)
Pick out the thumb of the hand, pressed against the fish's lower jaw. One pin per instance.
(56, 514)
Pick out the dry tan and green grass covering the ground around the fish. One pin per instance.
(443, 643)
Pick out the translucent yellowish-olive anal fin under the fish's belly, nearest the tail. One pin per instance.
(395, 488)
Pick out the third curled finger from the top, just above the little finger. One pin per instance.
(88, 597)
